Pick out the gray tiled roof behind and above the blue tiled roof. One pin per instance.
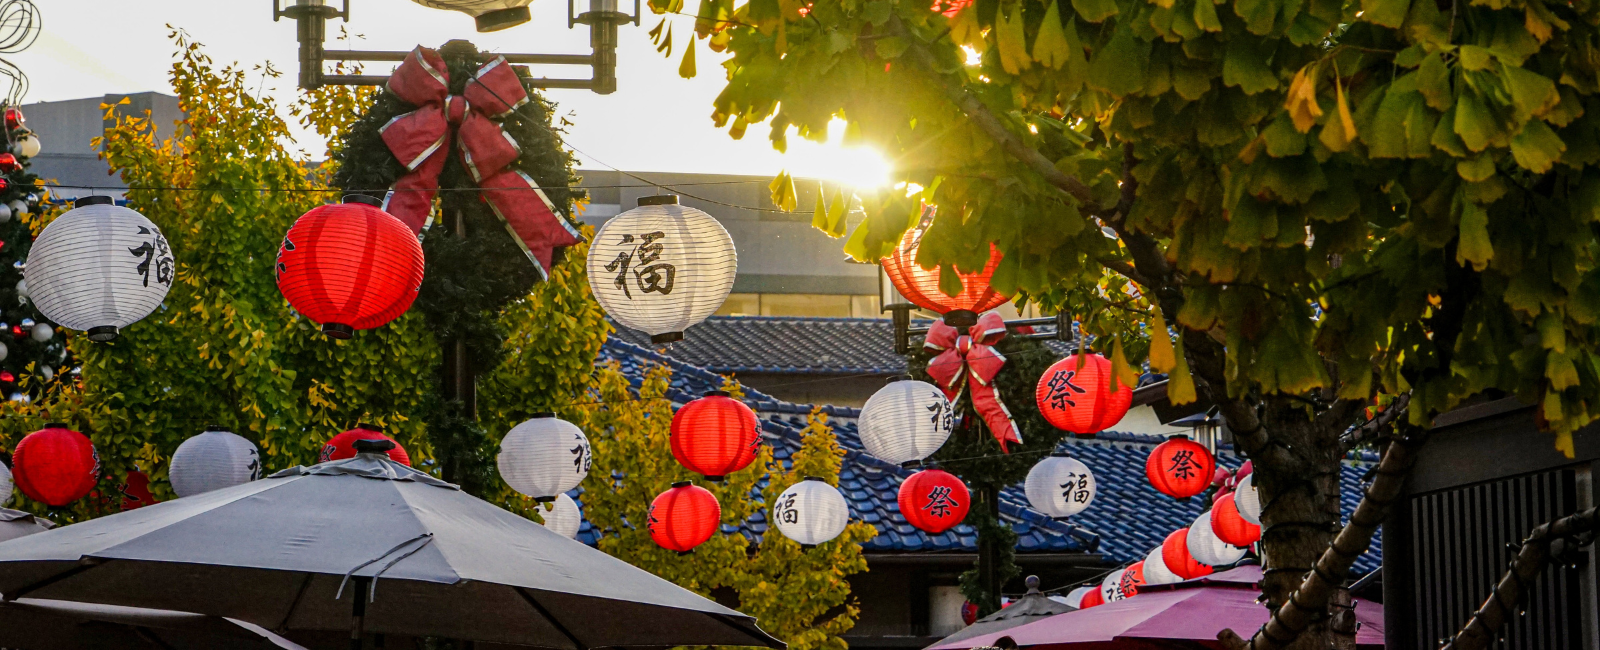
(788, 345)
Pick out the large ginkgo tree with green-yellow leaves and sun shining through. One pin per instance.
(1294, 207)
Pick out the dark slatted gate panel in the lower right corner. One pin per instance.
(1460, 553)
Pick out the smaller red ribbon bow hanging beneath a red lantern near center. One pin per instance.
(972, 356)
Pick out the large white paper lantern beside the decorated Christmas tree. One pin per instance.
(98, 268)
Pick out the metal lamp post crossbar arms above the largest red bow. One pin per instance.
(313, 17)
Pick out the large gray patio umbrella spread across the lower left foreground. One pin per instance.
(367, 547)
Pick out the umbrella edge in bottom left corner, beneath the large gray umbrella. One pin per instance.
(57, 625)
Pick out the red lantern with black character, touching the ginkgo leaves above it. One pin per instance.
(1079, 399)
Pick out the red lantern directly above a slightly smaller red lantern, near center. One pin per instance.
(716, 436)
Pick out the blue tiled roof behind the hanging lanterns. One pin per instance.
(1129, 516)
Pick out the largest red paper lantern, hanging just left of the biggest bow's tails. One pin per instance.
(350, 267)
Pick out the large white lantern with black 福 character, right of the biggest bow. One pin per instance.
(662, 268)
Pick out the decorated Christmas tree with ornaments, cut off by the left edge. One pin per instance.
(33, 350)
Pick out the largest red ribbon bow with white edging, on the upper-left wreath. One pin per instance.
(422, 142)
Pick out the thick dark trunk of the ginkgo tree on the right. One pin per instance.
(1302, 505)
